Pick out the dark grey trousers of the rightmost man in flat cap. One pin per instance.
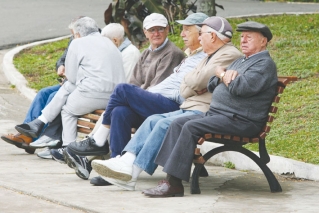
(177, 151)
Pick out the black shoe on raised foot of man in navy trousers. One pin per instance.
(88, 147)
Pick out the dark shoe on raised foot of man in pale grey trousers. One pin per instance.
(32, 129)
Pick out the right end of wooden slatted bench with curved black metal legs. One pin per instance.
(235, 143)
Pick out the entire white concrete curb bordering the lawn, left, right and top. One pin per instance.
(277, 164)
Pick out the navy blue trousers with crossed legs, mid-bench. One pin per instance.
(128, 107)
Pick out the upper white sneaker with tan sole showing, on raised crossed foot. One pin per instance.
(114, 168)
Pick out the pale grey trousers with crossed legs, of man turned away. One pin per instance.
(71, 103)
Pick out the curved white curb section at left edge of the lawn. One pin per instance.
(14, 76)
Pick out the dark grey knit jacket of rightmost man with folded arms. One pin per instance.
(250, 94)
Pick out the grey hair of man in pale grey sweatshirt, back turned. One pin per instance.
(85, 26)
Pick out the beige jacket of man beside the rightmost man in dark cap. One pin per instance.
(197, 79)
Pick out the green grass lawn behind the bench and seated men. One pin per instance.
(294, 47)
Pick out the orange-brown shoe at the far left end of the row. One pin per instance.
(20, 141)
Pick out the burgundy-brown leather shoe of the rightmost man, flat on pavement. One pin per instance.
(165, 189)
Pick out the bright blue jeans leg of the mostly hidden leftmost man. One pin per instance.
(43, 97)
